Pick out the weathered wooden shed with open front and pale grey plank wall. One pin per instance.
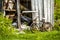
(37, 9)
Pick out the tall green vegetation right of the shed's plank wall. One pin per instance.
(57, 14)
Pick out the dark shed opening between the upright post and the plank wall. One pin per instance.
(25, 5)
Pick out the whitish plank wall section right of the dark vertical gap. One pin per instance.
(48, 11)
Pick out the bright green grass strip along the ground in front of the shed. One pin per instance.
(53, 35)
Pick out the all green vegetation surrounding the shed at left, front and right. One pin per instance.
(8, 32)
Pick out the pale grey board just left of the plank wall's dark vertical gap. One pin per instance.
(40, 11)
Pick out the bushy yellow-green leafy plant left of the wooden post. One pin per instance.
(5, 26)
